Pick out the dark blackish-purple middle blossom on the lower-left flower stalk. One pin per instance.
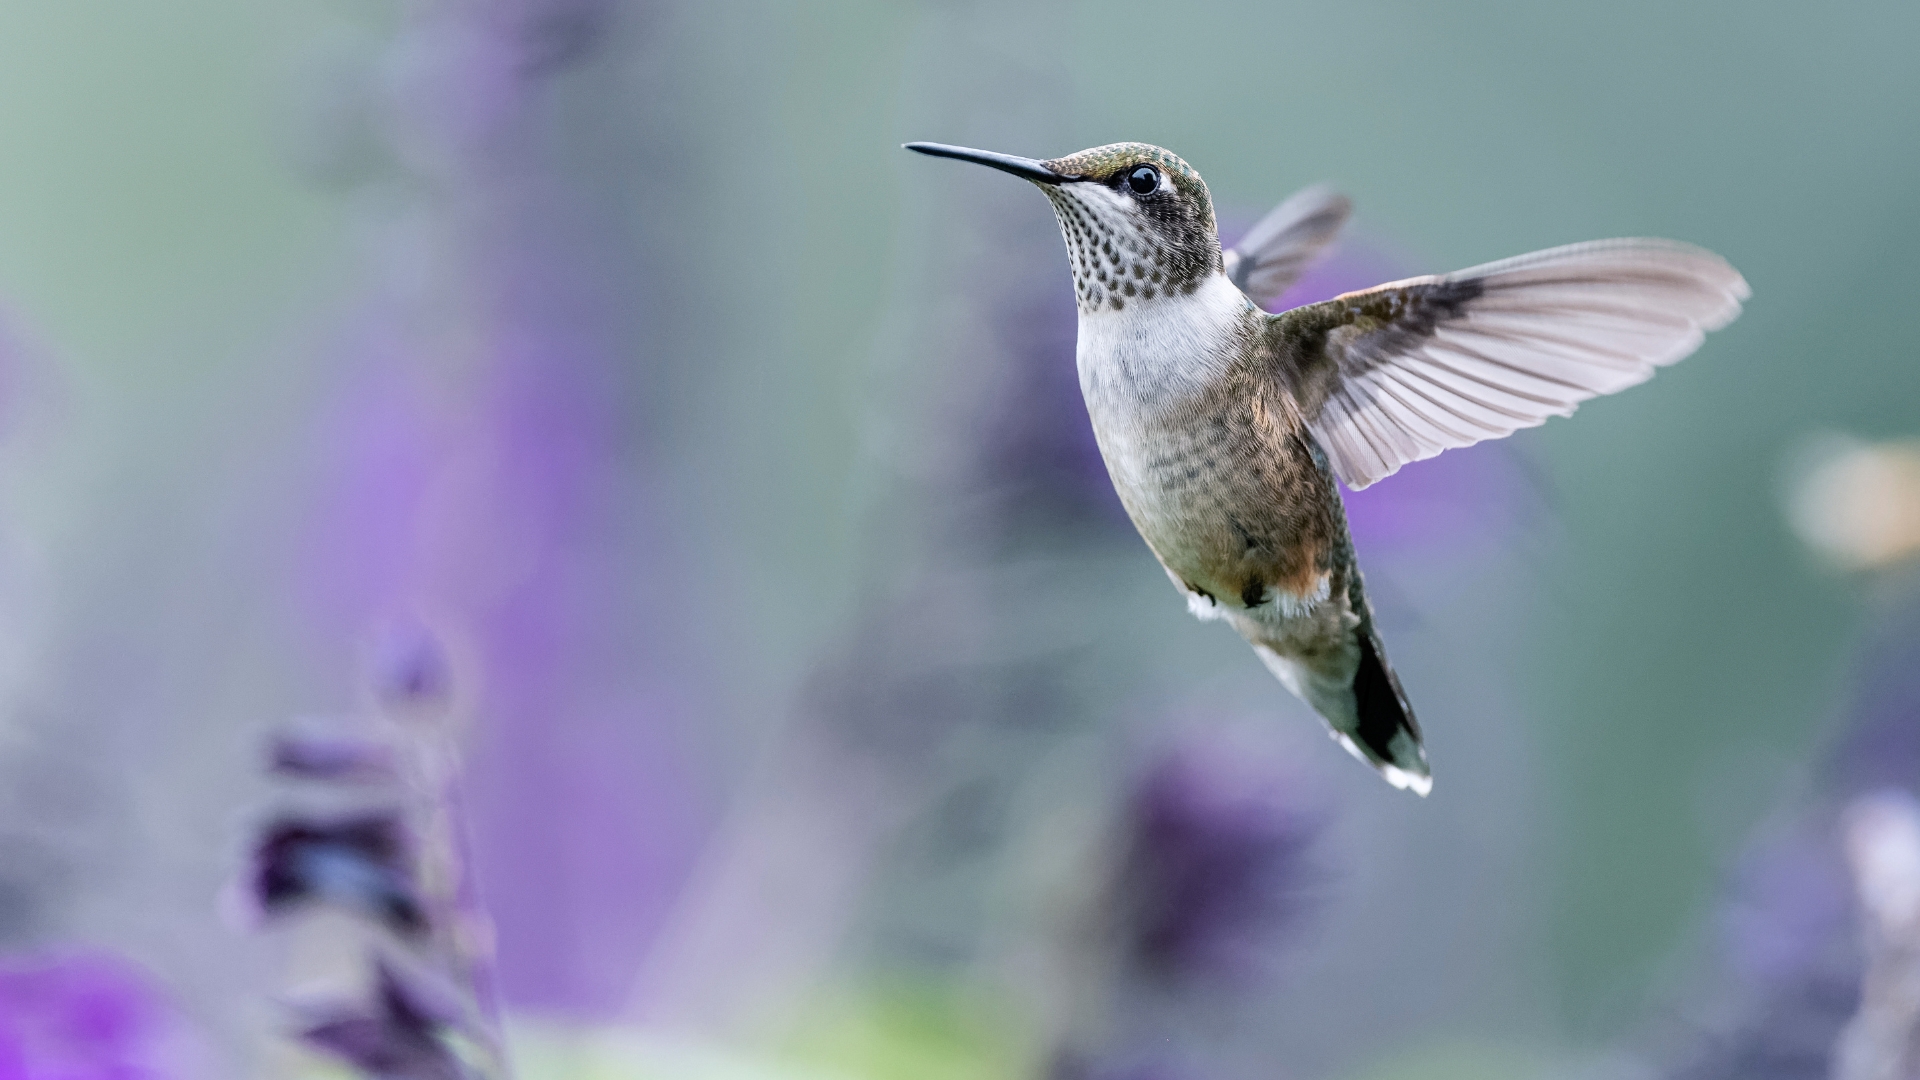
(358, 864)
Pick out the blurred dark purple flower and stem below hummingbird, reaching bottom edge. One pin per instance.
(1212, 870)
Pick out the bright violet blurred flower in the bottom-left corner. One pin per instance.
(84, 1018)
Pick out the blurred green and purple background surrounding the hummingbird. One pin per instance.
(608, 372)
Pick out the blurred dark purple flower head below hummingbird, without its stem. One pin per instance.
(1214, 868)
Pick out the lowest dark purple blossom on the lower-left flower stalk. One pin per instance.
(398, 1039)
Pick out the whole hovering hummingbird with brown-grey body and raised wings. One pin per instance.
(1226, 428)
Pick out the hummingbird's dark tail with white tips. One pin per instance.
(1366, 712)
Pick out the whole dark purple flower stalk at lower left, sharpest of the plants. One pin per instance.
(370, 825)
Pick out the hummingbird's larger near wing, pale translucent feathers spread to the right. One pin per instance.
(1408, 370)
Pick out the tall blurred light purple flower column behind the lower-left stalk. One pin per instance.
(489, 478)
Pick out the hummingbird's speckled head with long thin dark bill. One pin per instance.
(1138, 220)
